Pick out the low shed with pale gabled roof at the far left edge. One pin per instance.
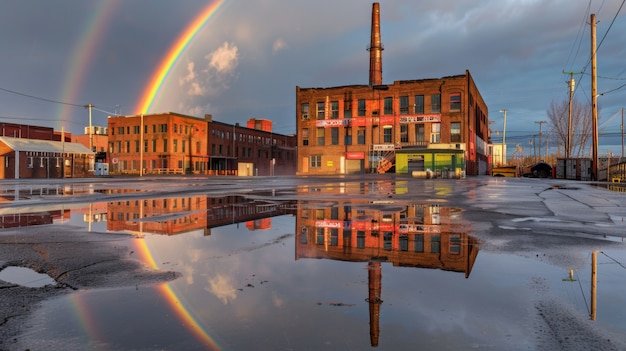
(33, 158)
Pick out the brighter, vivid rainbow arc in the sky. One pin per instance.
(168, 62)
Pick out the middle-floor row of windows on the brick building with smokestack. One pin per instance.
(387, 134)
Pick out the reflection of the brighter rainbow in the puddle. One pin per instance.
(175, 303)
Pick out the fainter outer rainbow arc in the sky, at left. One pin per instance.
(83, 54)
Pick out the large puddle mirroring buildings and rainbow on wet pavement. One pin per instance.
(337, 274)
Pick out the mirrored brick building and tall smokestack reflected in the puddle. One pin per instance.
(407, 235)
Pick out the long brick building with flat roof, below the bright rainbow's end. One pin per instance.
(172, 143)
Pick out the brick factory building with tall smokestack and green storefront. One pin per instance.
(437, 124)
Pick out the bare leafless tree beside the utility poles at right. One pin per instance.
(558, 112)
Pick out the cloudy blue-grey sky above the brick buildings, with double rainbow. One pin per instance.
(247, 57)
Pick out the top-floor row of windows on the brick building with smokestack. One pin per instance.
(404, 107)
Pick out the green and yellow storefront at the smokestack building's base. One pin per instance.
(408, 161)
